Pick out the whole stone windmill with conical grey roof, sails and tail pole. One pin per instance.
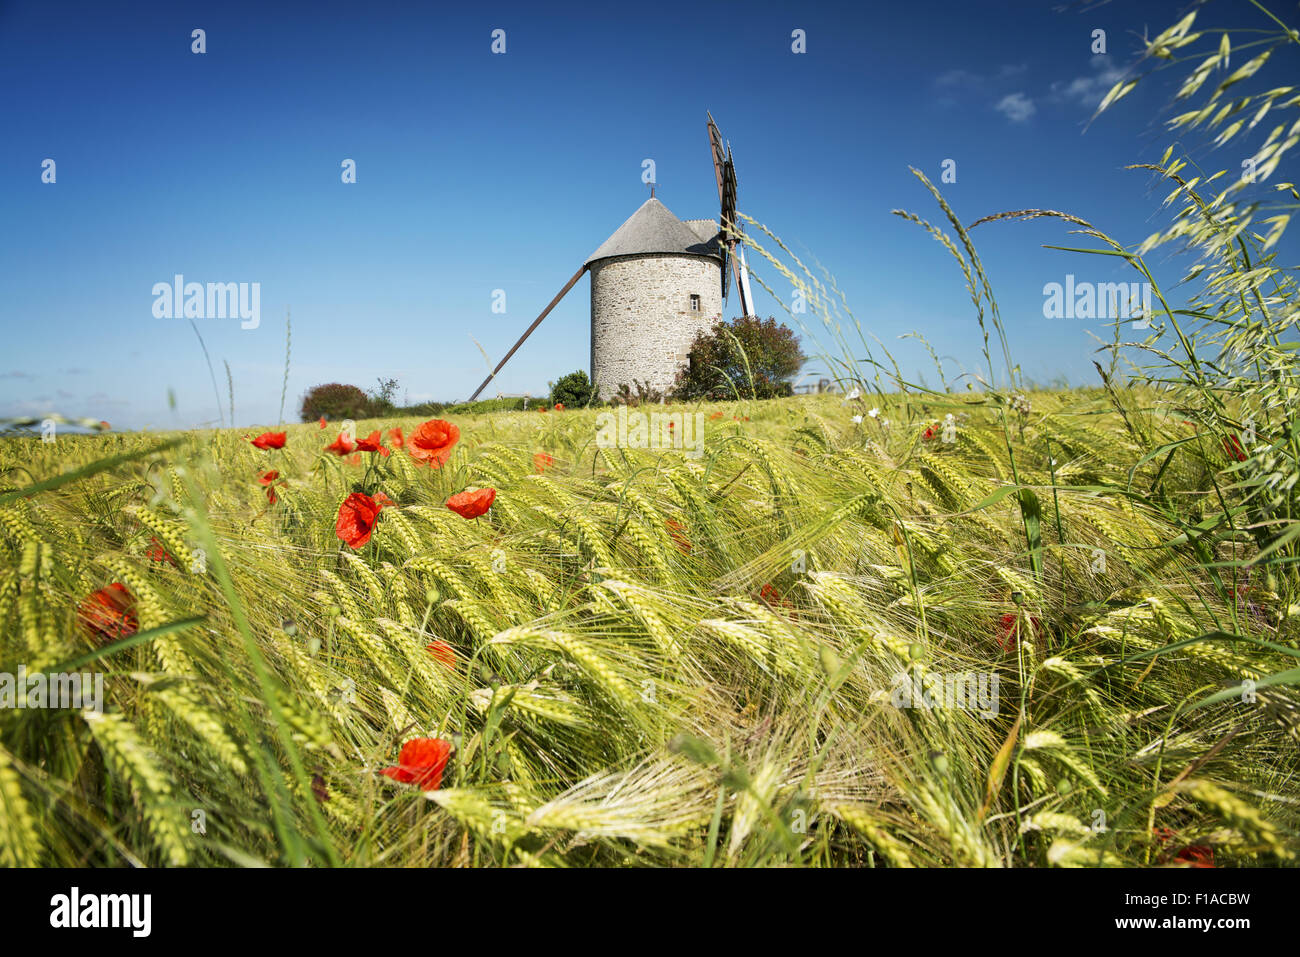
(657, 283)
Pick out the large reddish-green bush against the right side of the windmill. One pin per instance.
(747, 357)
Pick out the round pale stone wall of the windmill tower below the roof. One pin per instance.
(642, 321)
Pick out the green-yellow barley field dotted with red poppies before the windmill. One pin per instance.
(638, 659)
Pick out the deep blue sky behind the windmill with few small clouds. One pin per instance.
(478, 172)
